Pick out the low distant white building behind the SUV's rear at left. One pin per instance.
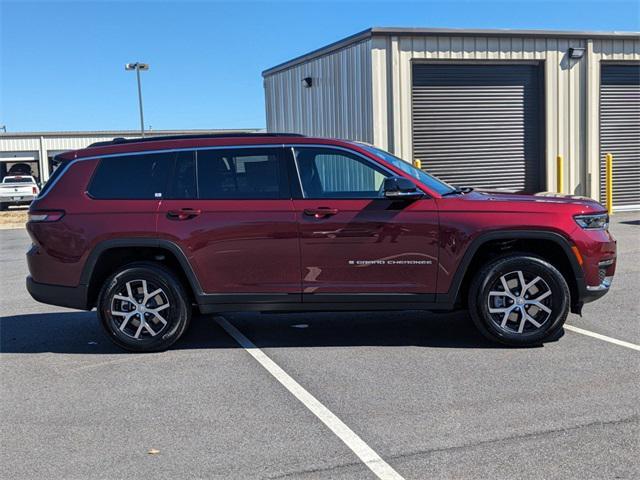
(38, 149)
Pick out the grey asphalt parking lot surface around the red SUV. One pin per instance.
(425, 392)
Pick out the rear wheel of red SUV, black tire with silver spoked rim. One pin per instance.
(172, 304)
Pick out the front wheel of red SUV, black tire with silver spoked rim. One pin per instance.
(505, 318)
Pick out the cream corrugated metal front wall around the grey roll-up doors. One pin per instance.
(571, 92)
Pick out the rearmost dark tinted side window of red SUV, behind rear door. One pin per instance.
(134, 177)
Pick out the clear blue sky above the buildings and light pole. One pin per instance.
(61, 64)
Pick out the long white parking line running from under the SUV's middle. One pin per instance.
(369, 457)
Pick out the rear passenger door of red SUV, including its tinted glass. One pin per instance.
(230, 210)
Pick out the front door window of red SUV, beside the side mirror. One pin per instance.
(327, 173)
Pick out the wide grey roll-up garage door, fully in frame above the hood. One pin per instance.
(479, 125)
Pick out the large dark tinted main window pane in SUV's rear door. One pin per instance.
(242, 173)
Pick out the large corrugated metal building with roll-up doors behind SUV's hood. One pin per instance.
(482, 108)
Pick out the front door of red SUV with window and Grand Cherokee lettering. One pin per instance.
(355, 243)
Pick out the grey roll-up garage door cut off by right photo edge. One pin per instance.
(620, 132)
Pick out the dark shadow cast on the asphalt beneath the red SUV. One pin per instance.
(80, 332)
